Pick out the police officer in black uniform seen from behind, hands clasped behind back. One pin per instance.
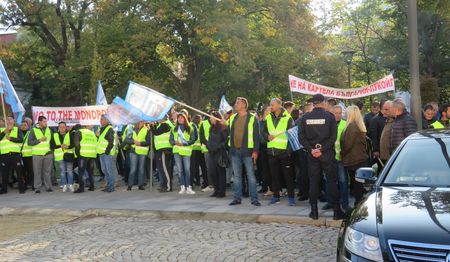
(318, 135)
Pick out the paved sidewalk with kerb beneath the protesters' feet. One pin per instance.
(169, 205)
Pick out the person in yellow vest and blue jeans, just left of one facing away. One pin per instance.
(62, 145)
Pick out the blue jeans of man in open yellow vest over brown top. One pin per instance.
(237, 160)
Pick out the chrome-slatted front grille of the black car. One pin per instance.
(403, 251)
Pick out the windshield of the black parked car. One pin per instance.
(421, 162)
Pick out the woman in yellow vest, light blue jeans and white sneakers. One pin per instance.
(182, 138)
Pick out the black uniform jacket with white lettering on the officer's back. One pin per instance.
(318, 127)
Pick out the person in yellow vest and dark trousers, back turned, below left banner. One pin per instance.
(85, 143)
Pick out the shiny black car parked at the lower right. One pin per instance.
(406, 216)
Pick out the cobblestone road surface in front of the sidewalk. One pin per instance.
(146, 239)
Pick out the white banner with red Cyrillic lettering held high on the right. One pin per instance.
(383, 85)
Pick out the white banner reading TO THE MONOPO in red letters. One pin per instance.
(83, 115)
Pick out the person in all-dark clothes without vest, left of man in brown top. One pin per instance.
(218, 155)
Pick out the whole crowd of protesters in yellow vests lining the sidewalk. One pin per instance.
(249, 150)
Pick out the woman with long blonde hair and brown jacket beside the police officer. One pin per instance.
(354, 148)
